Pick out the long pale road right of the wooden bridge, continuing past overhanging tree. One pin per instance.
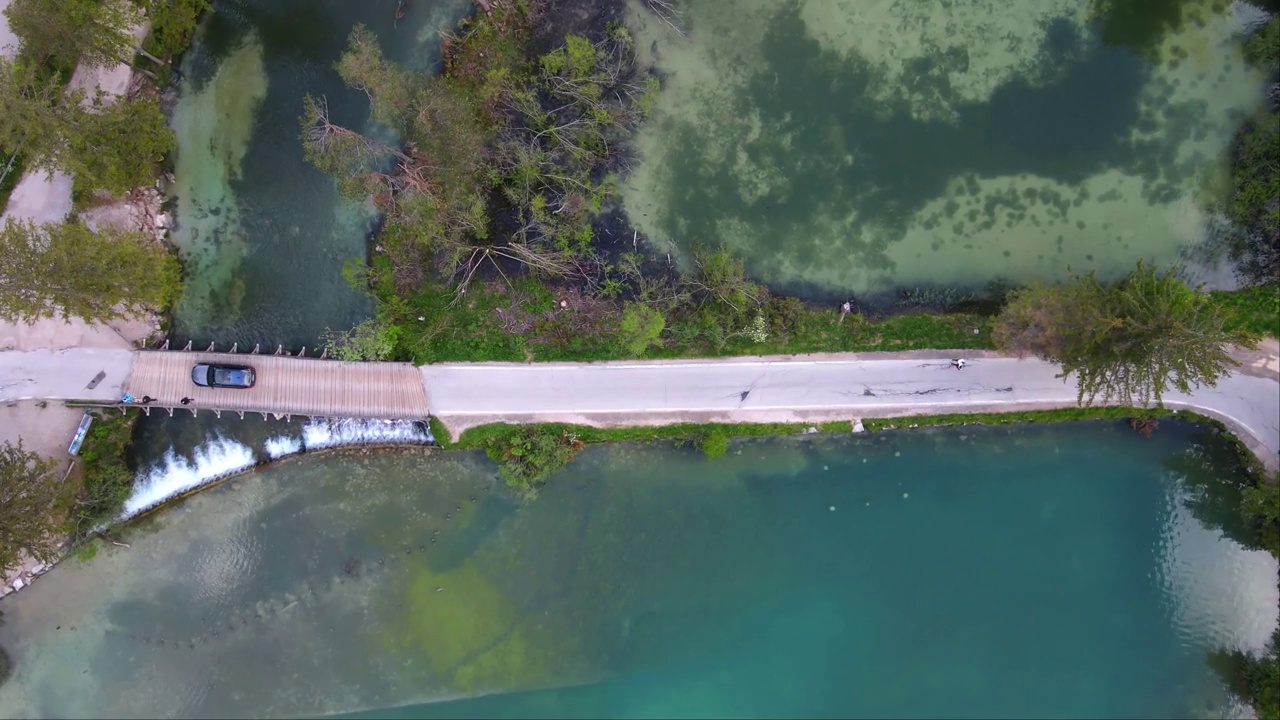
(813, 389)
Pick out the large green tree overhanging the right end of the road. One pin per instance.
(1127, 343)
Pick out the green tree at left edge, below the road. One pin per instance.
(34, 504)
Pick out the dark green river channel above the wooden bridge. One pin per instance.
(263, 235)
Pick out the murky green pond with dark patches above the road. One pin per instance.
(867, 145)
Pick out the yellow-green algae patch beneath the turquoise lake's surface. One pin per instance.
(465, 631)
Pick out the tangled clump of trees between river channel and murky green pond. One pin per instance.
(508, 168)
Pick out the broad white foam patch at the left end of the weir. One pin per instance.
(176, 475)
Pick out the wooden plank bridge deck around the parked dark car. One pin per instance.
(285, 385)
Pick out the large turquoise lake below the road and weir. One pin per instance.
(1035, 572)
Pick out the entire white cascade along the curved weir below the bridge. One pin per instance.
(220, 457)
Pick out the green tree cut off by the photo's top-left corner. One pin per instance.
(68, 33)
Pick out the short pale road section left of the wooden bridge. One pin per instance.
(67, 375)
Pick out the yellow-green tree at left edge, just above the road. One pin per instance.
(71, 271)
